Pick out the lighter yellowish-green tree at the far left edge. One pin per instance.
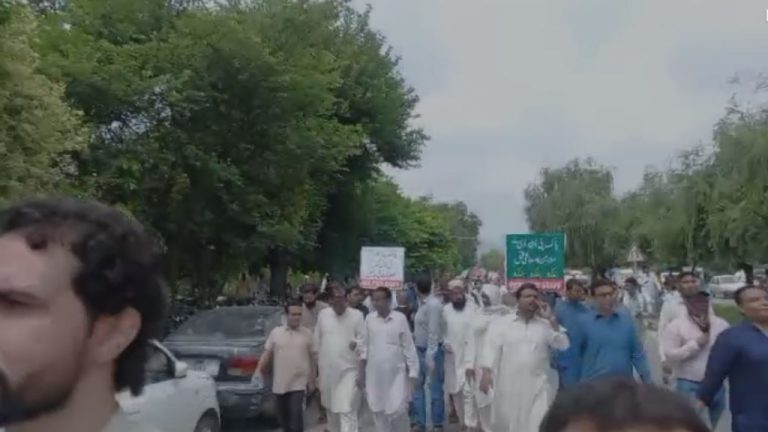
(37, 128)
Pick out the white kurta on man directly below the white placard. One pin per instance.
(391, 360)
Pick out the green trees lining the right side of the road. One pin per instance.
(709, 207)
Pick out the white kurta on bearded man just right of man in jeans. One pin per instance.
(458, 326)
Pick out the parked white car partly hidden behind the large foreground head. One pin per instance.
(175, 399)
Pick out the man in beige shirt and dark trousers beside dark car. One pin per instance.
(289, 359)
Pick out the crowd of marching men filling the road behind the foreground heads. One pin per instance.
(495, 360)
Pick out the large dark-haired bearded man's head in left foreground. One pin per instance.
(80, 295)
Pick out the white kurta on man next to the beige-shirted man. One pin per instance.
(338, 364)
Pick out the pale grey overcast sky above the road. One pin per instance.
(510, 86)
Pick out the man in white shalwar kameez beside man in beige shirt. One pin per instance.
(340, 339)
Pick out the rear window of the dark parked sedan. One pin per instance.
(229, 323)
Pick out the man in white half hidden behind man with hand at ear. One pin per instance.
(491, 311)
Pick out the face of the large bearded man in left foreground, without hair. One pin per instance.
(43, 329)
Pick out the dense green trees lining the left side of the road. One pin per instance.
(247, 134)
